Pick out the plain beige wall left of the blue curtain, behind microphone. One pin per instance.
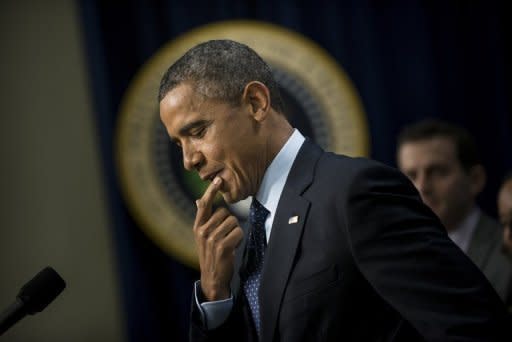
(52, 204)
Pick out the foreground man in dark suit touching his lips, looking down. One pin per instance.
(338, 249)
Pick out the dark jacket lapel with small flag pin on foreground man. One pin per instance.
(286, 234)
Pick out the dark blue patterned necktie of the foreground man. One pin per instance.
(256, 250)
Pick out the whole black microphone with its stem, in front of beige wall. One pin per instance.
(33, 297)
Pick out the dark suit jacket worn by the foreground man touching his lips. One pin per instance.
(366, 261)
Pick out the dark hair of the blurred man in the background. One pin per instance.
(465, 146)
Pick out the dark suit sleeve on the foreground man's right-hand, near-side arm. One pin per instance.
(403, 251)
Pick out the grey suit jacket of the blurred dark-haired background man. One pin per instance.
(486, 252)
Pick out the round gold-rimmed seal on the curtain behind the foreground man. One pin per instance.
(319, 100)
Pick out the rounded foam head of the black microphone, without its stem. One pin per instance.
(41, 290)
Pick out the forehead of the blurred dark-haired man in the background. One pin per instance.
(437, 150)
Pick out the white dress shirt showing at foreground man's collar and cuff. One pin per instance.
(216, 312)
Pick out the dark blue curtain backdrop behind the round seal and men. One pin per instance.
(408, 60)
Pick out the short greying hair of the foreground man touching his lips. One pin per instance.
(220, 69)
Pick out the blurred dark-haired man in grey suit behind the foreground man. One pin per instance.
(443, 162)
